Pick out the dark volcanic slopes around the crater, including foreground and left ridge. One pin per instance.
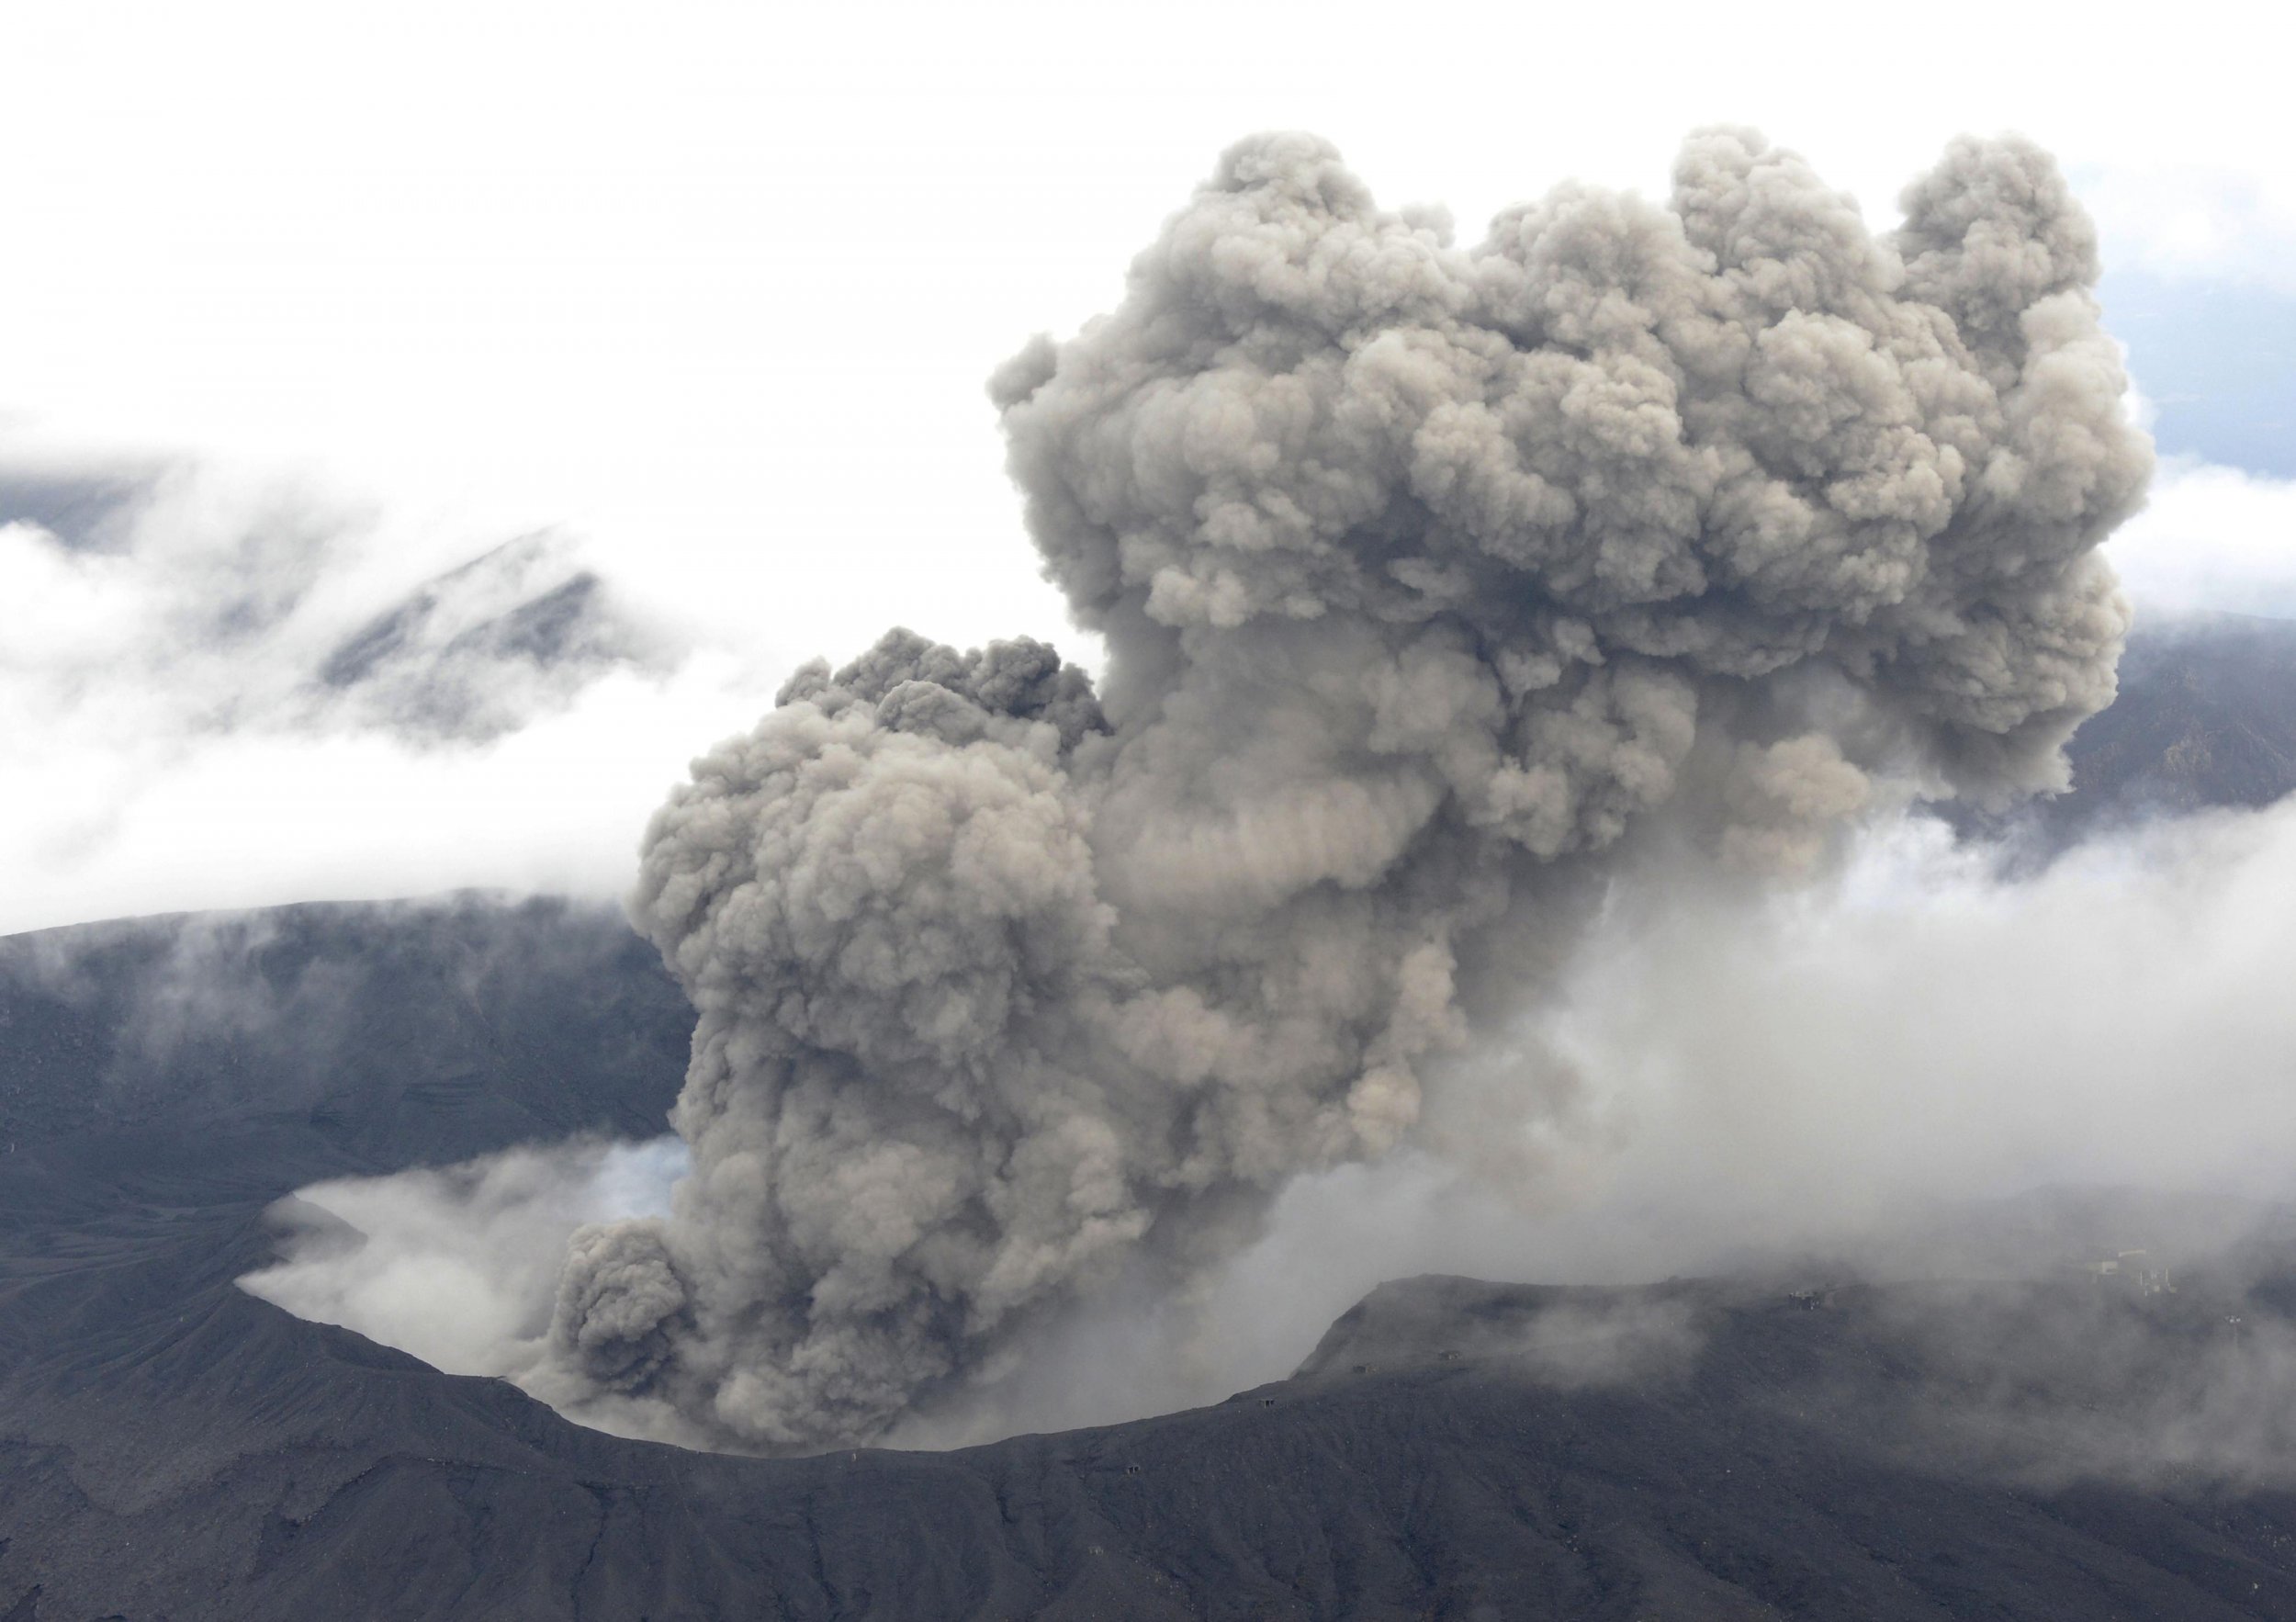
(173, 1449)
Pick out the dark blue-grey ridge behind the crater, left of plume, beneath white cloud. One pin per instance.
(332, 1040)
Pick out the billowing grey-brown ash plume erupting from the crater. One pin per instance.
(1425, 573)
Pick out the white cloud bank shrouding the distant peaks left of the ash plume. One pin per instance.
(235, 688)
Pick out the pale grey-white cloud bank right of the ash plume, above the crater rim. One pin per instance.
(1817, 1069)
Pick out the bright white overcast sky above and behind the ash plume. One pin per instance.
(300, 309)
